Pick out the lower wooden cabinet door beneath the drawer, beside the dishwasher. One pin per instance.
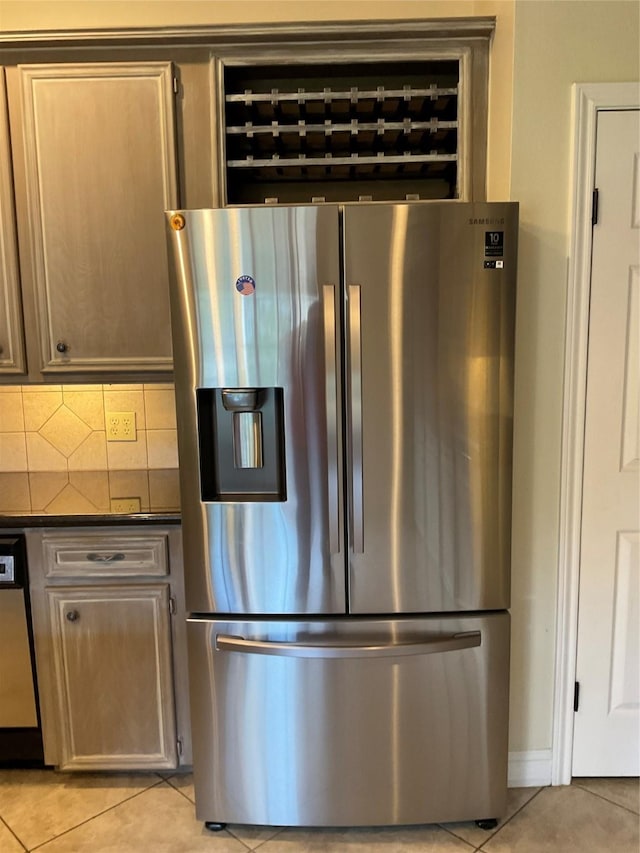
(113, 677)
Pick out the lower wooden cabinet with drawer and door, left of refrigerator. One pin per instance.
(109, 627)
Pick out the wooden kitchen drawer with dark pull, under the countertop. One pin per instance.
(96, 555)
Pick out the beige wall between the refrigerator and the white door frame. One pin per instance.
(556, 44)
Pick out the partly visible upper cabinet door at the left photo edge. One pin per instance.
(11, 337)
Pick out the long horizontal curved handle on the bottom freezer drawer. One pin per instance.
(450, 643)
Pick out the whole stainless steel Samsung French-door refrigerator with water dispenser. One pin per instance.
(344, 383)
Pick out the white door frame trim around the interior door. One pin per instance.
(588, 99)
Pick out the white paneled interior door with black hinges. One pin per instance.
(607, 723)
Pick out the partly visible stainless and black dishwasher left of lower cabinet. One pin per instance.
(20, 730)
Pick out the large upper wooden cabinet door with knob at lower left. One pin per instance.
(100, 170)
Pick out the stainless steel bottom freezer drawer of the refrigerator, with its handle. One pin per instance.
(350, 722)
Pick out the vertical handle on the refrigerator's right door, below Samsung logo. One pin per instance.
(355, 419)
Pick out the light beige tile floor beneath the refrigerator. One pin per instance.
(146, 813)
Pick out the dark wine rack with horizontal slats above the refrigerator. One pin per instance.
(339, 133)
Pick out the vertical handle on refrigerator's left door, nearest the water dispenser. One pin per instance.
(331, 396)
